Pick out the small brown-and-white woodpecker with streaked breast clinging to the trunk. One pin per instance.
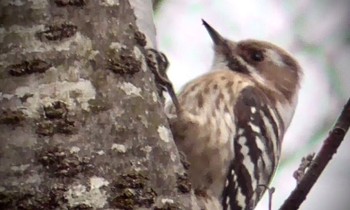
(230, 122)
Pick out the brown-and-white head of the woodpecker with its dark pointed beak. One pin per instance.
(271, 67)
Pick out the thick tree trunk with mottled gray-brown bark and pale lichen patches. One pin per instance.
(81, 122)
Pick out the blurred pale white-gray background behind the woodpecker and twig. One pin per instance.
(317, 33)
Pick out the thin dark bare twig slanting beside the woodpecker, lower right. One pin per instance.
(321, 160)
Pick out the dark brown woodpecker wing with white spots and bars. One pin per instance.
(257, 144)
